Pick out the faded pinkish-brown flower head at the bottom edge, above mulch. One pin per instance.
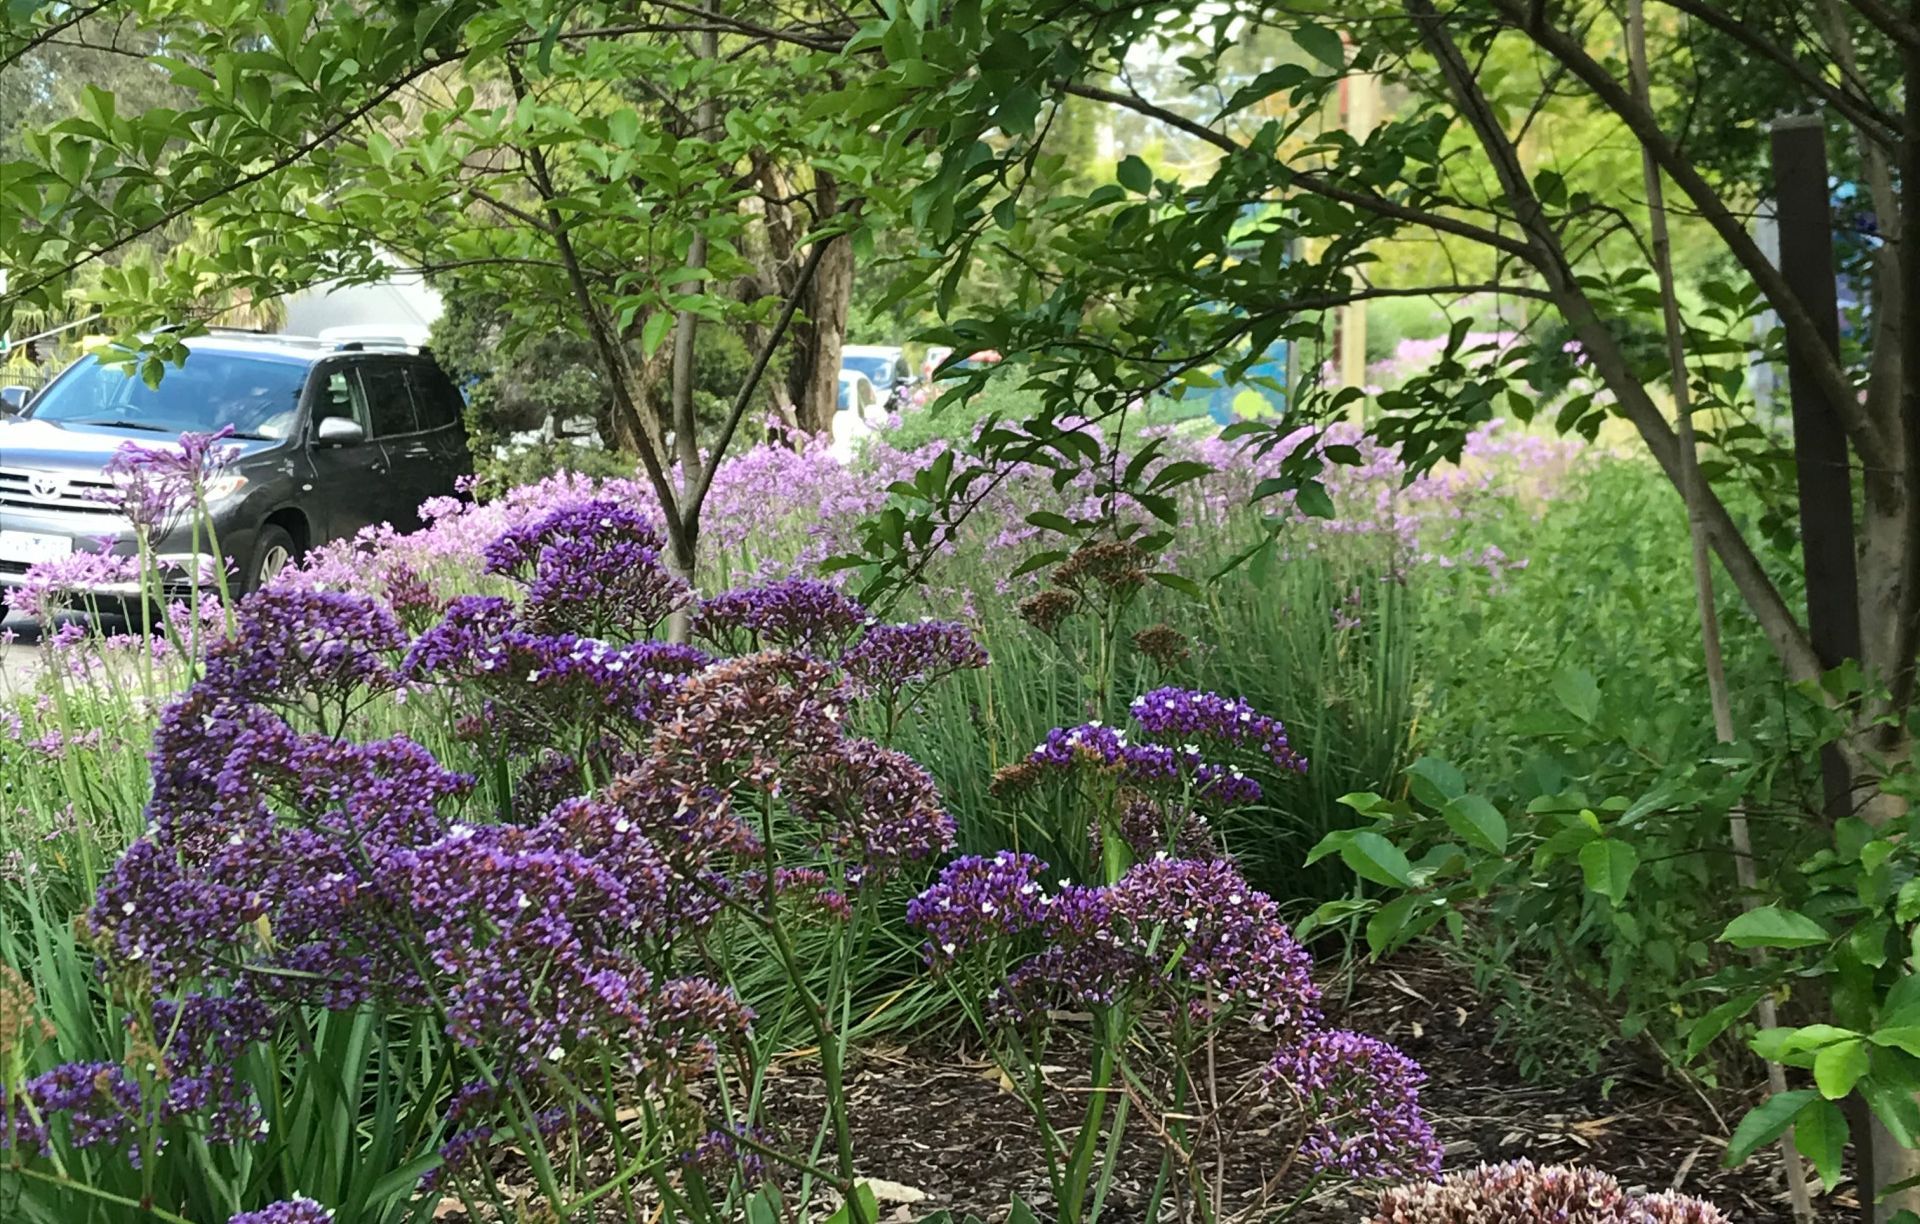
(1524, 1194)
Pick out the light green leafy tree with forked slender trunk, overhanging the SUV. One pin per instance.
(612, 170)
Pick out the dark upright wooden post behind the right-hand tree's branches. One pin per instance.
(1806, 224)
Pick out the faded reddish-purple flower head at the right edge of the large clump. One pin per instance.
(876, 809)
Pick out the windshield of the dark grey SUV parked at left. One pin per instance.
(208, 392)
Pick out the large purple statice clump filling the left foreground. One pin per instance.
(556, 914)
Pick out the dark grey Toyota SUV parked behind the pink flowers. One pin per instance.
(331, 438)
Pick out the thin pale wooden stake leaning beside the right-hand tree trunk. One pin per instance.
(1710, 621)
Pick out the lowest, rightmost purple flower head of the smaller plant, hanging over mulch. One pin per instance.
(1360, 1102)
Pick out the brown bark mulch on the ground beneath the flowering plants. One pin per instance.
(940, 1123)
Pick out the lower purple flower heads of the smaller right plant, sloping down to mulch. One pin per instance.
(1193, 943)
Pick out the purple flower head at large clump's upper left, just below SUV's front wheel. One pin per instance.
(295, 644)
